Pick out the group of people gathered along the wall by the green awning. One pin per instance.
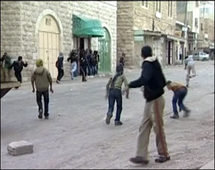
(83, 62)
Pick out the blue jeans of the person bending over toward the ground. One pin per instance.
(179, 96)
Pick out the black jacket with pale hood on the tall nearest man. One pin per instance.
(152, 78)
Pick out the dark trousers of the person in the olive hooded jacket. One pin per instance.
(45, 95)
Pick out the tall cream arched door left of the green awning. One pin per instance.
(49, 43)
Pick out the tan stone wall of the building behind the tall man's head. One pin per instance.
(132, 15)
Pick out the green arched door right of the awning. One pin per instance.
(104, 53)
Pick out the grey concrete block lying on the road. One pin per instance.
(20, 148)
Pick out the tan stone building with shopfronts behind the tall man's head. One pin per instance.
(146, 23)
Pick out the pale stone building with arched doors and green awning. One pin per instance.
(41, 29)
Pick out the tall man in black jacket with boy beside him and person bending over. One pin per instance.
(153, 81)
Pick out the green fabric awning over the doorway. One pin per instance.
(86, 27)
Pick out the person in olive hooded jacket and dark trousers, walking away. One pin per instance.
(42, 79)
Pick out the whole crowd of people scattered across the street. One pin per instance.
(152, 79)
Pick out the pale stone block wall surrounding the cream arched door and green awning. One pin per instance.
(20, 22)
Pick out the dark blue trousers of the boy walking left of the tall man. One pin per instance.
(115, 95)
